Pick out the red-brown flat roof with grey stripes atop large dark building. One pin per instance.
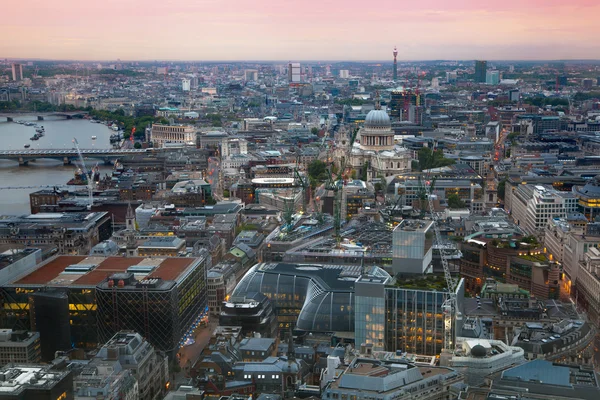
(91, 271)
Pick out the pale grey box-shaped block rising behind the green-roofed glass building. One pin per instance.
(412, 247)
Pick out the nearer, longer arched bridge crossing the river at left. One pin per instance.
(68, 155)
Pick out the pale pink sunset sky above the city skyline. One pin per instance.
(292, 30)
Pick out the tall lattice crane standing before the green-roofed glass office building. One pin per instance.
(449, 307)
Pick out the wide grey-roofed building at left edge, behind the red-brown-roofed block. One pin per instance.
(70, 233)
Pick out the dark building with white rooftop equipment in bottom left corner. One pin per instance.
(36, 382)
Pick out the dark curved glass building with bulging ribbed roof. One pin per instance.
(317, 298)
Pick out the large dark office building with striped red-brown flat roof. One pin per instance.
(88, 299)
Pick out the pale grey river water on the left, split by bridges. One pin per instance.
(59, 133)
